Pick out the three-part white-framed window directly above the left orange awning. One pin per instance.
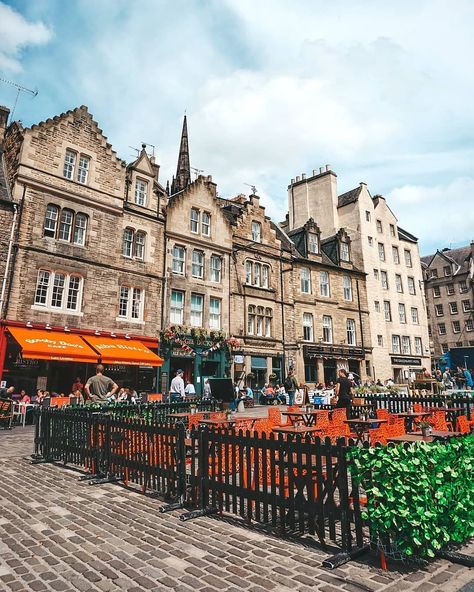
(58, 290)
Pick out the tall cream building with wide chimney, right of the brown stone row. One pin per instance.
(364, 231)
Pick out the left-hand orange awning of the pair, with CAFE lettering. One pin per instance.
(40, 344)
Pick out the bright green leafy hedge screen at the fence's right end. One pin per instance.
(419, 496)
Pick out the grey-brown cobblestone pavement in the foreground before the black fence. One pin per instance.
(57, 534)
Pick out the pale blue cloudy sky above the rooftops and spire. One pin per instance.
(381, 91)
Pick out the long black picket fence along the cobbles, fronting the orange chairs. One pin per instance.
(291, 484)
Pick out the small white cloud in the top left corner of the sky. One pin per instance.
(17, 33)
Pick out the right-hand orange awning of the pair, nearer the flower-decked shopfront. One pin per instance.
(123, 351)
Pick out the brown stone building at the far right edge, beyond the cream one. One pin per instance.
(449, 286)
